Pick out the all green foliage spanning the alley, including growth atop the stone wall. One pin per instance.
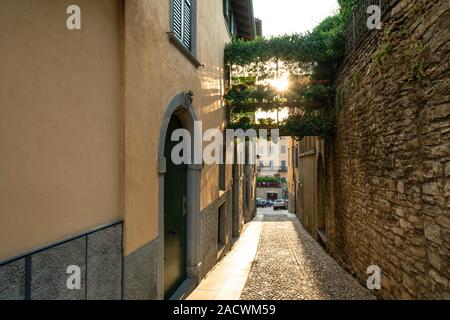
(316, 53)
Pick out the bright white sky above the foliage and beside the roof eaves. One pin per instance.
(292, 16)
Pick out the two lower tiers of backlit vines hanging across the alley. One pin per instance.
(311, 108)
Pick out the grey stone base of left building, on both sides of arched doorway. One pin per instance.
(105, 272)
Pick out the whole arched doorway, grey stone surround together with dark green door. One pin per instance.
(179, 205)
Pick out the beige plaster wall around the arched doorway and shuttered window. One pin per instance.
(156, 71)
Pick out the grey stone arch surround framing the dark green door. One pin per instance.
(180, 109)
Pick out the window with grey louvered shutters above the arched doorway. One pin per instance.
(182, 22)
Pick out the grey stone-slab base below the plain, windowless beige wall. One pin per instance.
(42, 274)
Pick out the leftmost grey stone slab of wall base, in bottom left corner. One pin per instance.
(12, 280)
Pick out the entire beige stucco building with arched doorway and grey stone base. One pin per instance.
(86, 114)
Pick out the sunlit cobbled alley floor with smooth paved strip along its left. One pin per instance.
(287, 265)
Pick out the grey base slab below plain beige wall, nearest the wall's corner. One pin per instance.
(104, 264)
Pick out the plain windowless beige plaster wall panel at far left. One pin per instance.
(60, 121)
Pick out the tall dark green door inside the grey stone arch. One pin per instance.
(174, 217)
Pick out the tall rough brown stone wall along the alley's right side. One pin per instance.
(389, 187)
